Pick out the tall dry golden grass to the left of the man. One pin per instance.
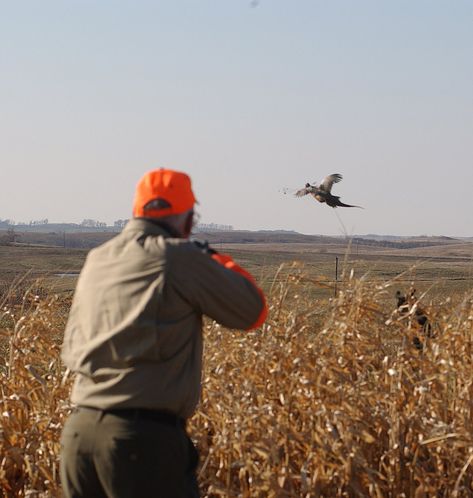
(34, 400)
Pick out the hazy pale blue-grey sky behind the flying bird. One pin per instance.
(247, 100)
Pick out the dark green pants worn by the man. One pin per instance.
(107, 455)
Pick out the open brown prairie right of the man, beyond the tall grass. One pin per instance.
(441, 271)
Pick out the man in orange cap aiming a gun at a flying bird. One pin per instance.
(134, 339)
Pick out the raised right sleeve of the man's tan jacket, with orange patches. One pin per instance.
(217, 287)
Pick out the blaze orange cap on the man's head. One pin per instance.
(162, 192)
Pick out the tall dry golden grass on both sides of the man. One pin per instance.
(329, 399)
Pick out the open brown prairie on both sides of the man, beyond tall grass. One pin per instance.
(440, 268)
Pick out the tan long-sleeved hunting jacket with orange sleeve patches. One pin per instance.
(134, 330)
